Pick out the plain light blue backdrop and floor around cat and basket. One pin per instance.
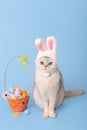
(21, 22)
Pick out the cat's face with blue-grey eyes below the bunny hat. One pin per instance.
(46, 64)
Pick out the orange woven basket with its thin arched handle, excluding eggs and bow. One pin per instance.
(17, 104)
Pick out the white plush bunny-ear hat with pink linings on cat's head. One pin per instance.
(46, 49)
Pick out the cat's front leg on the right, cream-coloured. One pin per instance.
(52, 112)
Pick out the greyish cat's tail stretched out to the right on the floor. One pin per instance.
(74, 93)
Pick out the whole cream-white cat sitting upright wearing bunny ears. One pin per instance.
(49, 92)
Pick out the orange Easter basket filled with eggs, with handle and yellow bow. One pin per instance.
(17, 99)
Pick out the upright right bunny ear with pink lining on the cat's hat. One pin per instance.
(51, 43)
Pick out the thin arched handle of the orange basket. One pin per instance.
(13, 58)
